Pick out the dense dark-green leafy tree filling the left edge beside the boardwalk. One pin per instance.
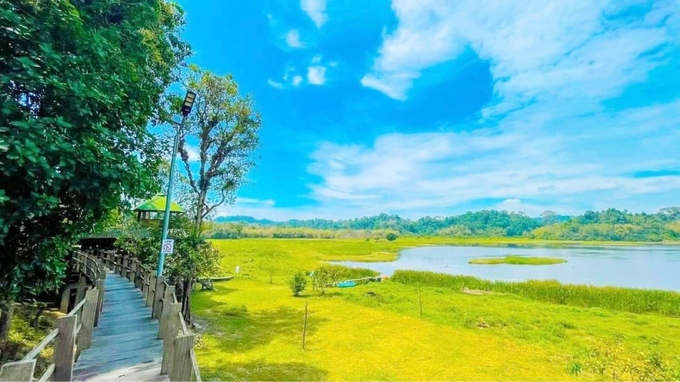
(79, 81)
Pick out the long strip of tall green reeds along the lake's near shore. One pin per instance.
(621, 299)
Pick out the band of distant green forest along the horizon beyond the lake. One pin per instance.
(610, 224)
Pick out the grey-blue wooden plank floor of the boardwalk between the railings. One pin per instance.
(125, 344)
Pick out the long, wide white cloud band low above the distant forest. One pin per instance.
(415, 174)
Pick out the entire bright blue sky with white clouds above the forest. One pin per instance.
(423, 107)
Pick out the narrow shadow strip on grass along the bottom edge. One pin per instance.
(262, 371)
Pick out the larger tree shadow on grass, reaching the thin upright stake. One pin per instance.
(236, 329)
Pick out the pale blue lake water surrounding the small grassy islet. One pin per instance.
(649, 267)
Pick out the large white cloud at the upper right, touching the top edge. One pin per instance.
(535, 49)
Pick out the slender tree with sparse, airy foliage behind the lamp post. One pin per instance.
(223, 129)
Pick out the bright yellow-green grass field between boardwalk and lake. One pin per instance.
(253, 328)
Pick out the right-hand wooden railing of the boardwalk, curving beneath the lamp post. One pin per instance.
(179, 359)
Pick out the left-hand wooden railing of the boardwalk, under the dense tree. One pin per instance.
(74, 330)
